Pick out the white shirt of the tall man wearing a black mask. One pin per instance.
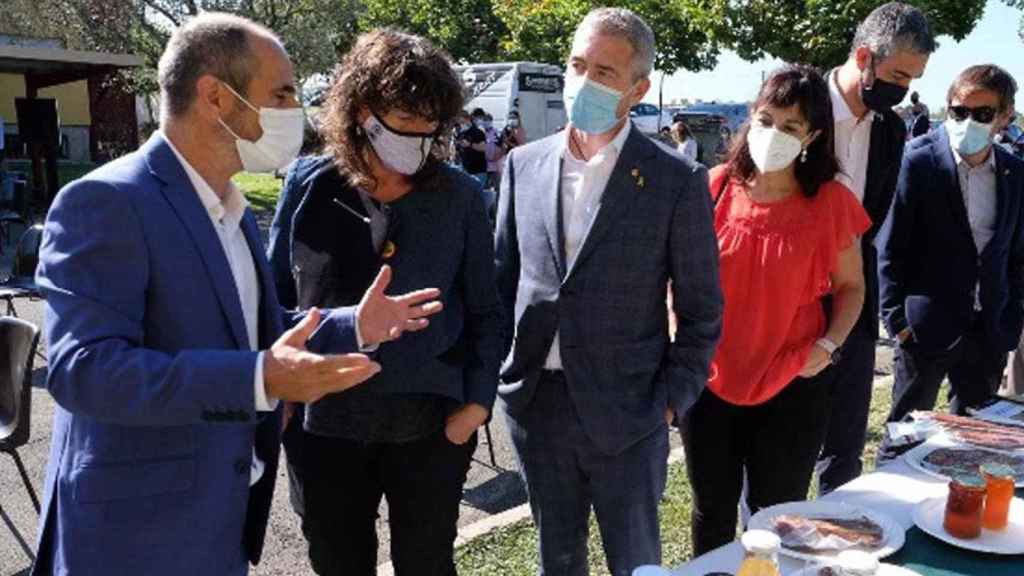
(854, 140)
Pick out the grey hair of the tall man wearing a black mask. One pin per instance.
(895, 27)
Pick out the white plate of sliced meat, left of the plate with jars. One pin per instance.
(892, 533)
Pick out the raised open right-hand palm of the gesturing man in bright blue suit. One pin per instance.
(385, 318)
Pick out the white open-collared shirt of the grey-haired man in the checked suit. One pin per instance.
(583, 187)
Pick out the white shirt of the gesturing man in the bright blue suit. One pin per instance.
(227, 219)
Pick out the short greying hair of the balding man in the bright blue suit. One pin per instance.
(212, 44)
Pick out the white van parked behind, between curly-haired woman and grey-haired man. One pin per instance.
(535, 90)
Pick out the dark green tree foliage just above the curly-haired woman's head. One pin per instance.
(470, 30)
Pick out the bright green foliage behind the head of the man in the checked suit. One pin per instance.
(687, 31)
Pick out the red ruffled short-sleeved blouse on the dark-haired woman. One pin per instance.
(777, 261)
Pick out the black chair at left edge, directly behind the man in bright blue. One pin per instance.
(18, 350)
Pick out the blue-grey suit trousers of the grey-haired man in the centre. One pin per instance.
(567, 475)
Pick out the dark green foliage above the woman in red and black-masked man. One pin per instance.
(820, 32)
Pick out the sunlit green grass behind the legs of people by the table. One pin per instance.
(513, 551)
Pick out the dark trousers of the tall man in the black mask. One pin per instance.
(851, 383)
